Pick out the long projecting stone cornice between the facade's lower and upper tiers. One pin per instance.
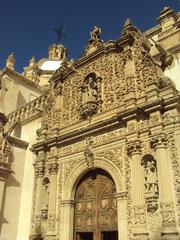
(113, 122)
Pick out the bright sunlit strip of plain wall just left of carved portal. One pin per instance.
(23, 224)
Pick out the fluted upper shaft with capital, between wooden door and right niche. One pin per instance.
(134, 150)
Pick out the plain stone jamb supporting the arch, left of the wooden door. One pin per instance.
(67, 219)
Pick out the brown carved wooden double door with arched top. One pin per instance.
(95, 215)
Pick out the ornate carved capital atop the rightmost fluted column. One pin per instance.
(159, 141)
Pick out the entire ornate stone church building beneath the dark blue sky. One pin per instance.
(90, 150)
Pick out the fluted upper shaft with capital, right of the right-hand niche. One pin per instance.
(159, 143)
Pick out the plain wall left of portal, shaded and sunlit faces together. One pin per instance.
(17, 203)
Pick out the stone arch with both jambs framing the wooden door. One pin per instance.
(68, 197)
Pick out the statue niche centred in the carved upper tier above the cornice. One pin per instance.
(91, 95)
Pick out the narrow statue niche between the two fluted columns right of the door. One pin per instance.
(151, 182)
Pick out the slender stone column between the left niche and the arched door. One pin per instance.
(53, 170)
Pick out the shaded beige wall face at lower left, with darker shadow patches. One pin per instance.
(12, 196)
